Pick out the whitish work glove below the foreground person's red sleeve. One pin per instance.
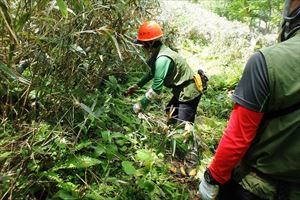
(208, 191)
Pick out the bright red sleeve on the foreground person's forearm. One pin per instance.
(238, 135)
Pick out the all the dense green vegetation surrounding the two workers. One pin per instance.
(66, 129)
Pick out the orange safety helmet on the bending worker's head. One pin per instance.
(149, 30)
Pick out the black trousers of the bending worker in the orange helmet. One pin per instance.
(184, 111)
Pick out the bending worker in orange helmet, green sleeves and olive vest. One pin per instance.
(169, 69)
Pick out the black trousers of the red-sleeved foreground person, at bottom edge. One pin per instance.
(234, 191)
